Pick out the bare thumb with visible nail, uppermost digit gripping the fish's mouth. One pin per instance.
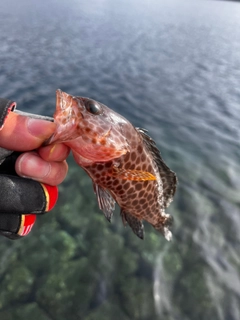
(22, 133)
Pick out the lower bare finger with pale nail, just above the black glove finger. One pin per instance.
(31, 165)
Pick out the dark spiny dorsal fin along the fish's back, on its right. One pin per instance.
(169, 178)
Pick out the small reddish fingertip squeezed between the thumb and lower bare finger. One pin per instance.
(56, 152)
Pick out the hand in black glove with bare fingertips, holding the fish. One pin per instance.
(47, 165)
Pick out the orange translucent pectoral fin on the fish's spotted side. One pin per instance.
(133, 175)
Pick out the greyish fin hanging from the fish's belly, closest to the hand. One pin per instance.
(105, 201)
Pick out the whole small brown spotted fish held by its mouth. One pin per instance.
(122, 161)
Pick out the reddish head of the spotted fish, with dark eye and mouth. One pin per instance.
(92, 130)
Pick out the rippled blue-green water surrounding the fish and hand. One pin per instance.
(173, 68)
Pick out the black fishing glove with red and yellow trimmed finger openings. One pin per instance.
(21, 199)
